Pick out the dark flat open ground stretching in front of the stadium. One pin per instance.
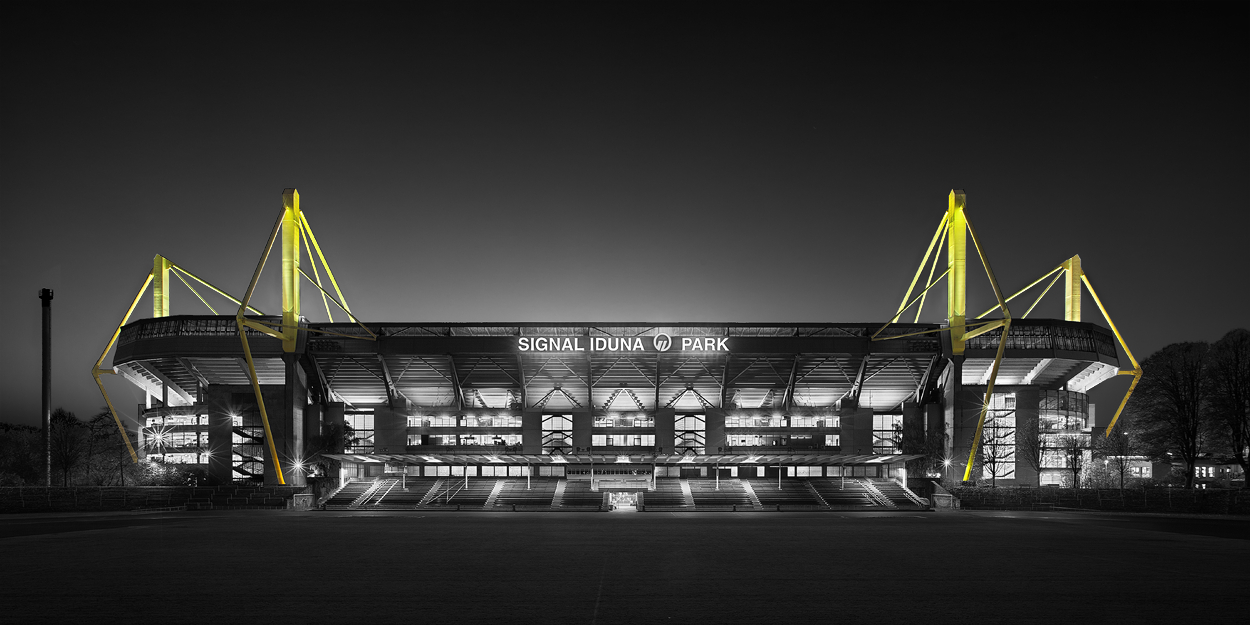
(879, 568)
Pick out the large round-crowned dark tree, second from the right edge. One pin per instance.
(1172, 402)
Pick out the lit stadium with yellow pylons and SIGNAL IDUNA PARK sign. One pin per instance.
(577, 416)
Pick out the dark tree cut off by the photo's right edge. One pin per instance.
(1231, 392)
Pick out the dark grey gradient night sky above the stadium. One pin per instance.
(594, 162)
